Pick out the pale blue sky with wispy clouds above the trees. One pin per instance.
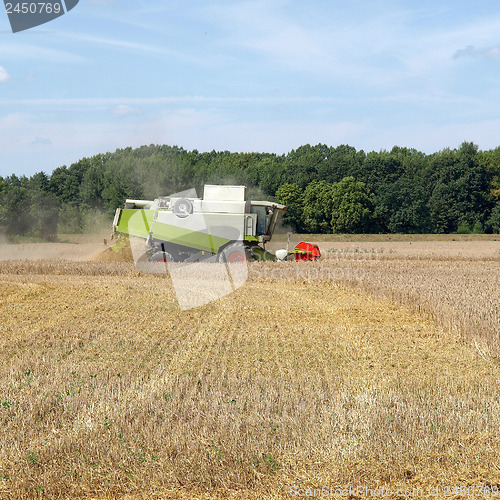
(248, 76)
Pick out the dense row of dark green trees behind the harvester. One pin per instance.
(327, 189)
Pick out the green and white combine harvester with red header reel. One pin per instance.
(222, 227)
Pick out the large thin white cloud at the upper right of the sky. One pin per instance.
(381, 49)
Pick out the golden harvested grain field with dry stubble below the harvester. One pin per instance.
(367, 369)
